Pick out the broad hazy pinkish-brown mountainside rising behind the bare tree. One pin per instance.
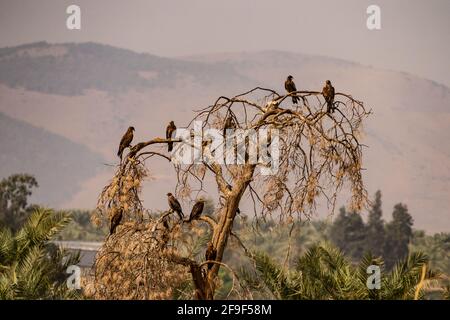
(90, 93)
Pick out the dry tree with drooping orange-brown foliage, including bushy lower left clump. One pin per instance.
(319, 153)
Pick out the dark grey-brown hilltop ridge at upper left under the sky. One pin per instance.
(70, 69)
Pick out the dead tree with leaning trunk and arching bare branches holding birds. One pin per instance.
(305, 156)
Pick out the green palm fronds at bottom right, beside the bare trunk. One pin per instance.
(324, 273)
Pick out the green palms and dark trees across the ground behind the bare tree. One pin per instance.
(307, 260)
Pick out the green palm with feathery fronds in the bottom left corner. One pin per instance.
(30, 266)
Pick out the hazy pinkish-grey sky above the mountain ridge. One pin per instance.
(415, 35)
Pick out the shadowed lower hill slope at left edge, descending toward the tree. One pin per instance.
(59, 164)
